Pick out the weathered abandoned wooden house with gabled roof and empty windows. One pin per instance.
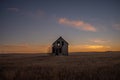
(60, 47)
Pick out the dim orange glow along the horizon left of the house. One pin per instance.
(24, 49)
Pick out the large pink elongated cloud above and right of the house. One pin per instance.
(77, 24)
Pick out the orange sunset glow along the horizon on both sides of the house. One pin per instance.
(47, 48)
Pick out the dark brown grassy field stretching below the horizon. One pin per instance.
(76, 66)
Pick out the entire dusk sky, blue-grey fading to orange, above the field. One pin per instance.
(31, 26)
